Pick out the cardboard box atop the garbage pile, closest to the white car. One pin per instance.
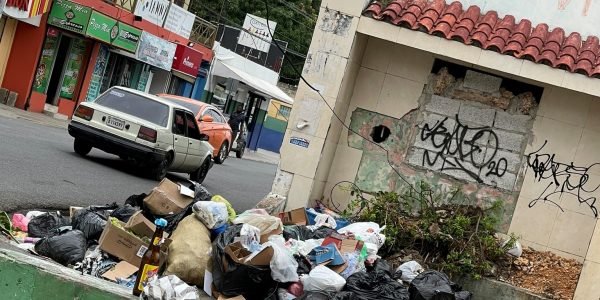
(166, 199)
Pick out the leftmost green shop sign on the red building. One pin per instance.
(70, 16)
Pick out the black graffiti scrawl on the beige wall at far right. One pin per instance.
(562, 179)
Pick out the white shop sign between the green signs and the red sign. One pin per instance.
(155, 51)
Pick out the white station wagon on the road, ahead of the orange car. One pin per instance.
(152, 132)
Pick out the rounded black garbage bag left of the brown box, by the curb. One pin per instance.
(67, 248)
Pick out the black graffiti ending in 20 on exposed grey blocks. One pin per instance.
(464, 149)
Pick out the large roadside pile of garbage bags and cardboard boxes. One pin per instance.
(259, 254)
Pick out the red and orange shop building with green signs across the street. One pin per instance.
(83, 47)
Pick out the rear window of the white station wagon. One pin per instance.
(136, 105)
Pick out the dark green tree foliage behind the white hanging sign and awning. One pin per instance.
(295, 23)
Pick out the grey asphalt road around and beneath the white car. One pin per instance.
(39, 170)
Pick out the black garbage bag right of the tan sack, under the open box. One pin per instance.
(232, 279)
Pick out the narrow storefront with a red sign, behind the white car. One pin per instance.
(186, 65)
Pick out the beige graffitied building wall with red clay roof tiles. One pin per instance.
(499, 99)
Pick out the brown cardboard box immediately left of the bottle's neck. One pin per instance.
(126, 246)
